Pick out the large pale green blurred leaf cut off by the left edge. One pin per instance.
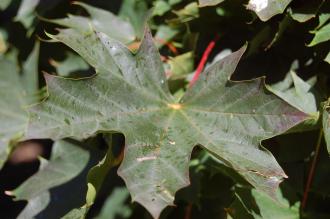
(16, 93)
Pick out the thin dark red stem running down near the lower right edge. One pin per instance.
(312, 170)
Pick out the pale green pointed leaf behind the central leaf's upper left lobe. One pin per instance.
(99, 20)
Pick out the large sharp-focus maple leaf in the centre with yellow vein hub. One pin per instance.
(130, 95)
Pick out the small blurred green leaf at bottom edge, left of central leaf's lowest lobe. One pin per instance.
(115, 205)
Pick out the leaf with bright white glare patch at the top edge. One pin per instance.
(265, 9)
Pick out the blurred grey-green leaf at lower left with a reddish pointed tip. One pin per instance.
(66, 162)
